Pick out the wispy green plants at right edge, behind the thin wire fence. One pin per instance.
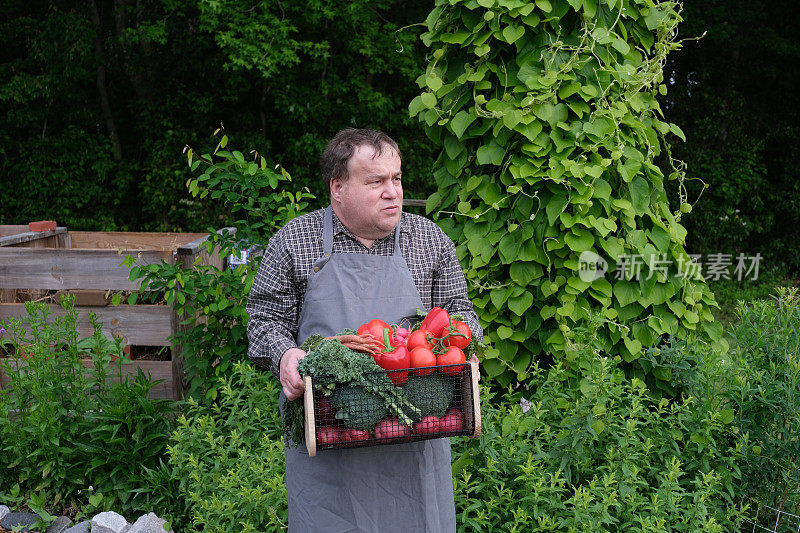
(766, 397)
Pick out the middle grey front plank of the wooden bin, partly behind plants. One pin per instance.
(141, 325)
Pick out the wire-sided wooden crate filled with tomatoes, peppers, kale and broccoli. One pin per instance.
(385, 385)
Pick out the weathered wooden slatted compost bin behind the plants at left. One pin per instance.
(87, 263)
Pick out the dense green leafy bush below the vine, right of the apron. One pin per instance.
(595, 452)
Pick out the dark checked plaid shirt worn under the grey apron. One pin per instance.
(278, 292)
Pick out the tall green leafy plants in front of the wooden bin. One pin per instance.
(73, 433)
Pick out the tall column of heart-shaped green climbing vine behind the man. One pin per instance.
(548, 178)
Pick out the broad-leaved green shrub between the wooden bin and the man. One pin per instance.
(210, 297)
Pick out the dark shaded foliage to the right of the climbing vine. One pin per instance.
(736, 97)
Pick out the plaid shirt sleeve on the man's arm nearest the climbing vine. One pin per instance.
(449, 288)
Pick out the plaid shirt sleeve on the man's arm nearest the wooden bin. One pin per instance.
(272, 306)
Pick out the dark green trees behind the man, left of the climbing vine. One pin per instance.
(282, 78)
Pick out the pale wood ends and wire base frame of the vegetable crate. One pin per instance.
(465, 400)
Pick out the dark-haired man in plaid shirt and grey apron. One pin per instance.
(359, 259)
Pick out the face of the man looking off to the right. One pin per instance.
(370, 201)
